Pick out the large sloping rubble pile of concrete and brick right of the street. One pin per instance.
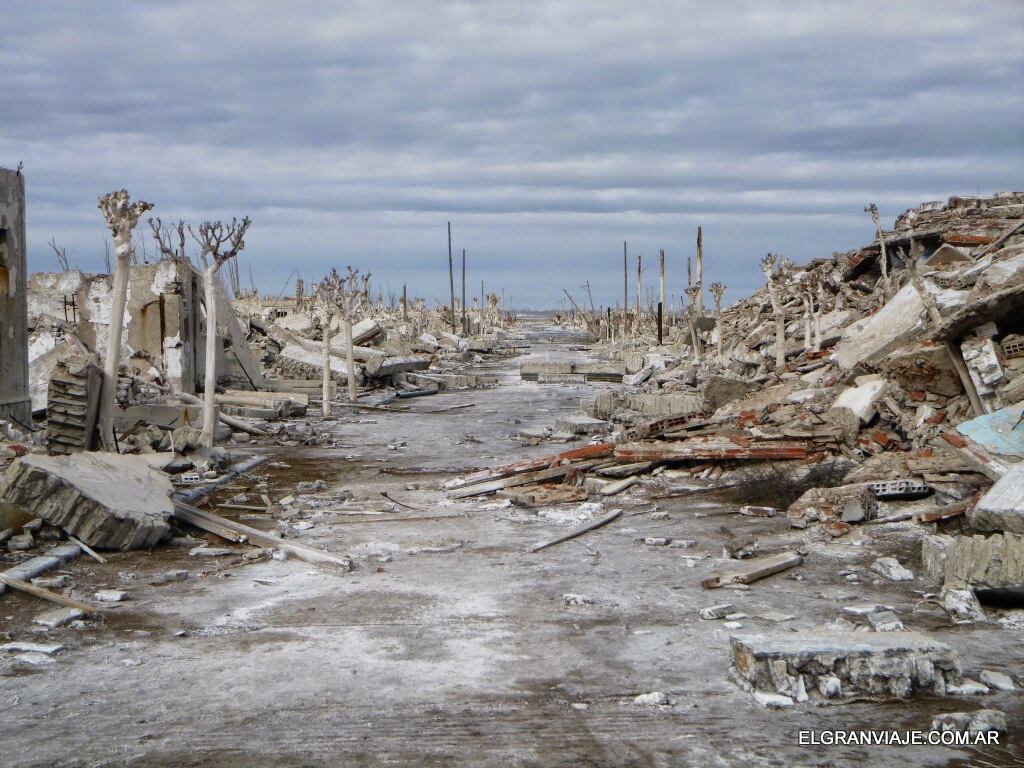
(911, 370)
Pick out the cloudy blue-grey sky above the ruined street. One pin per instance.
(546, 133)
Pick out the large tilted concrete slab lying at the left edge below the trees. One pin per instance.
(109, 501)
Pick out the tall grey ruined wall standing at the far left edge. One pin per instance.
(14, 352)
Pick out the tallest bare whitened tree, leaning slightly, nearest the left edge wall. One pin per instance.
(122, 218)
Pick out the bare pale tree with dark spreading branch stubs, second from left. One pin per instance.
(219, 244)
